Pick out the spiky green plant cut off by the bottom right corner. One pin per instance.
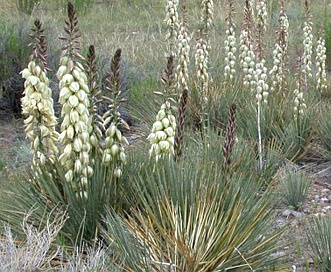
(319, 237)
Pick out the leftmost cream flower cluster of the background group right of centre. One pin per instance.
(230, 44)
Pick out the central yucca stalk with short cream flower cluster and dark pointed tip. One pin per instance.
(162, 137)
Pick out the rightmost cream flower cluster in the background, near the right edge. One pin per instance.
(322, 83)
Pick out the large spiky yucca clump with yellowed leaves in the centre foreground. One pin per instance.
(195, 218)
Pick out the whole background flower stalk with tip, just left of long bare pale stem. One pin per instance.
(246, 50)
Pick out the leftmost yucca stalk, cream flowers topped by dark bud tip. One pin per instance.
(37, 102)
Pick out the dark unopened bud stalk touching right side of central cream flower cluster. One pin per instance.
(180, 125)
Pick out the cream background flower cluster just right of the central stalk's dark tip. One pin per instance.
(183, 54)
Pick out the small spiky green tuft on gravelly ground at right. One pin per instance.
(295, 187)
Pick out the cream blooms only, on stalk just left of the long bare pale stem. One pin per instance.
(247, 59)
